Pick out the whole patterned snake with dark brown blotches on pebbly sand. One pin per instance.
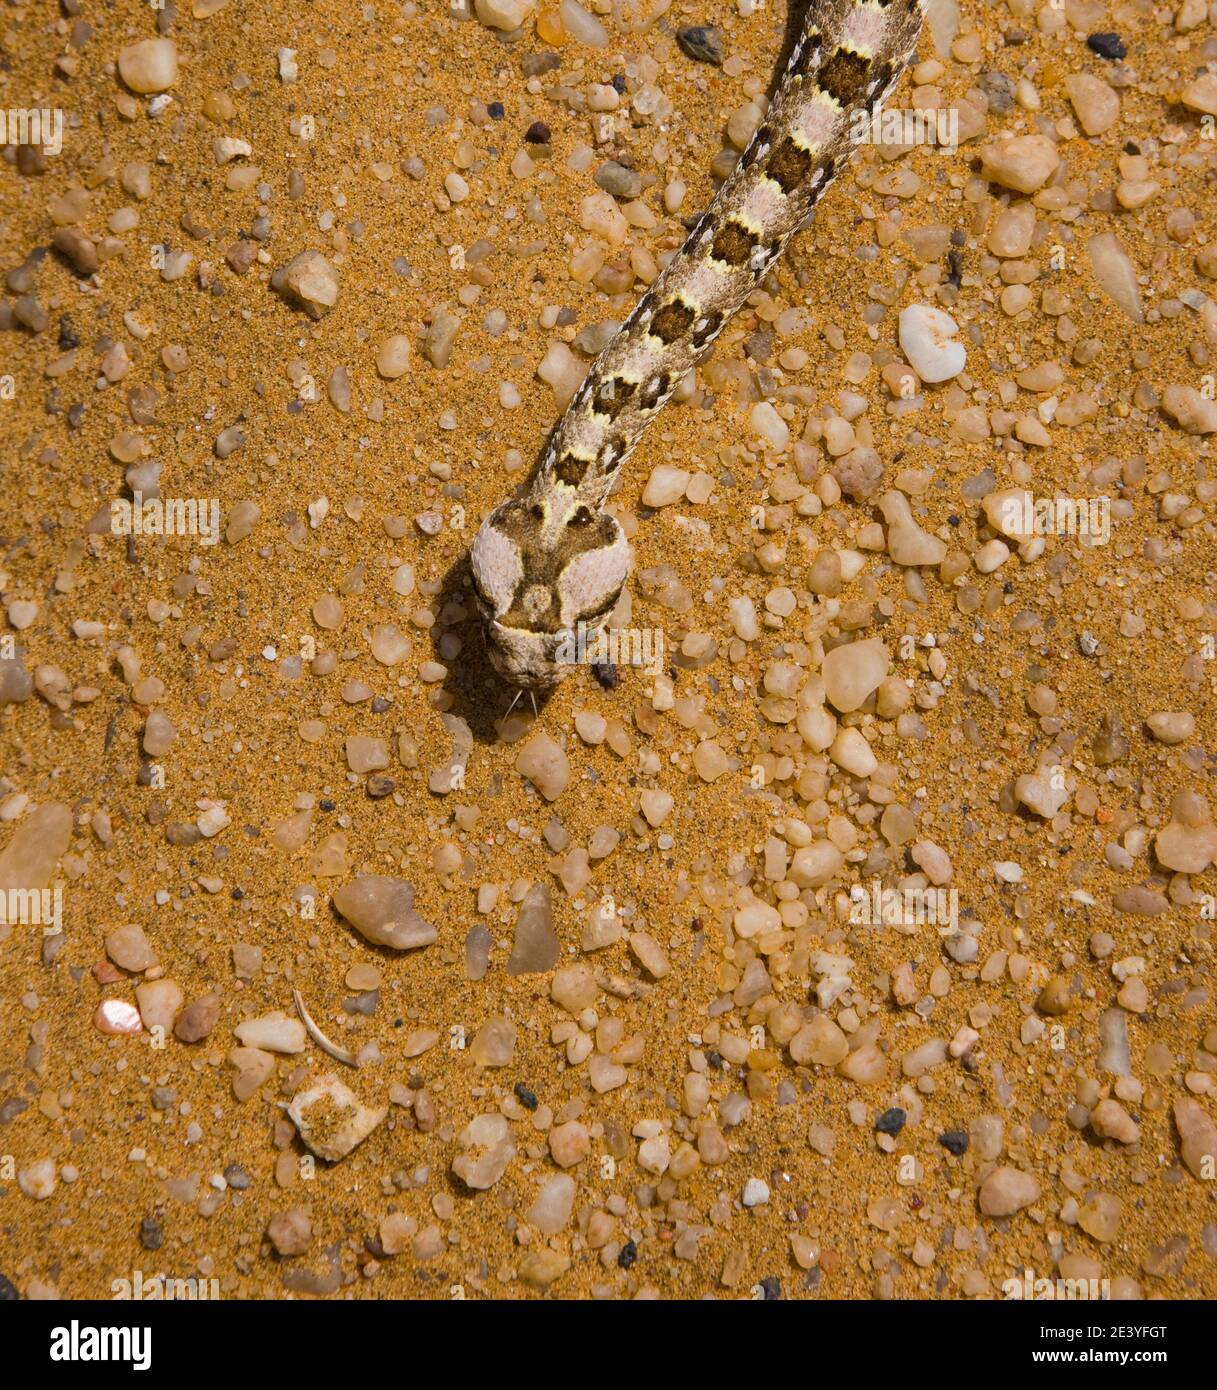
(552, 562)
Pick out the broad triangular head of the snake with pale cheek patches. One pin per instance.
(538, 578)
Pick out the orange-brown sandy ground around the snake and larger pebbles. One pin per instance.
(155, 1164)
